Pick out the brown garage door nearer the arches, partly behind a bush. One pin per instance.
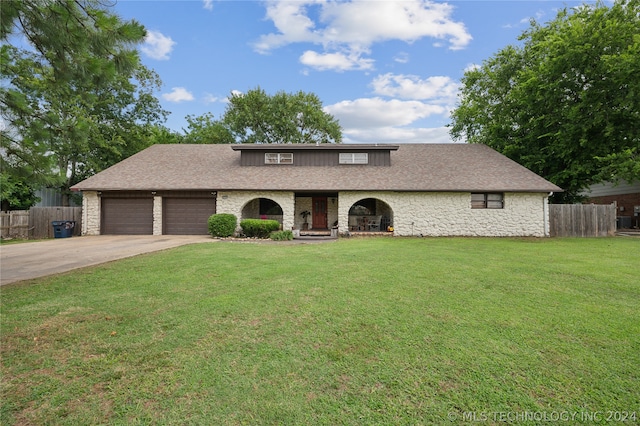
(187, 216)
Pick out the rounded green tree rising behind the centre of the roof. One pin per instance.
(255, 117)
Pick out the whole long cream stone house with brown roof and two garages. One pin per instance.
(406, 189)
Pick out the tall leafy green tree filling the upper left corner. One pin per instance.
(77, 98)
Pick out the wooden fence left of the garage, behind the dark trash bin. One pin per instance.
(36, 222)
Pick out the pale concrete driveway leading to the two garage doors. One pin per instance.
(41, 258)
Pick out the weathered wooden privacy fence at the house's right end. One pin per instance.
(582, 220)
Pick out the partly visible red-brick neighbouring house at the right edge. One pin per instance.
(626, 196)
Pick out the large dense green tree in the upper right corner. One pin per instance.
(566, 104)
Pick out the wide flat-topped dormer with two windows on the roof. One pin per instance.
(339, 155)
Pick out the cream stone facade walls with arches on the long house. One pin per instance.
(410, 213)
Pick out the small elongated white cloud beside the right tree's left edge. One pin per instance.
(438, 89)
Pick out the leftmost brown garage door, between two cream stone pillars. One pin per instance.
(127, 216)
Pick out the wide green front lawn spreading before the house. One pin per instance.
(361, 331)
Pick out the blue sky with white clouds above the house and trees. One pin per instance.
(388, 70)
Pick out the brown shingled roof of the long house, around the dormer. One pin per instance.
(414, 167)
